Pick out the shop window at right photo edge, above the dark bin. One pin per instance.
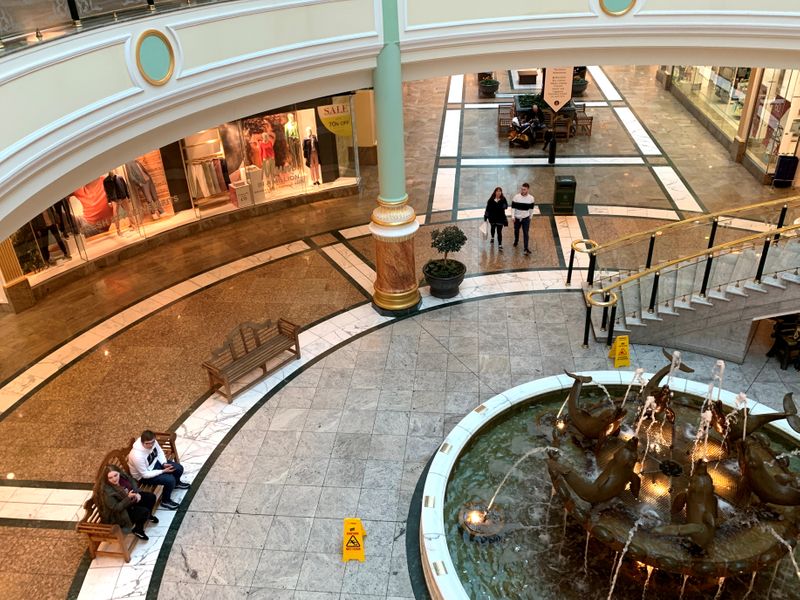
(769, 135)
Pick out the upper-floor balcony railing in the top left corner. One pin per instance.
(25, 24)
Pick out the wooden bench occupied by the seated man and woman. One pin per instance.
(92, 525)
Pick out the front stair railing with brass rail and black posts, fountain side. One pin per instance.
(651, 279)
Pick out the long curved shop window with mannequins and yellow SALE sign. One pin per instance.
(289, 152)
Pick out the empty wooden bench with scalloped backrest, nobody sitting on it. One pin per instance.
(250, 346)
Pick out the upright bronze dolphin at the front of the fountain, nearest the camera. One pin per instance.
(701, 509)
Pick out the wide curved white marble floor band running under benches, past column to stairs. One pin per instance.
(206, 431)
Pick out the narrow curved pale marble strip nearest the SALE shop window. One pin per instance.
(42, 370)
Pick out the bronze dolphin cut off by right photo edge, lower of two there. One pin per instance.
(776, 488)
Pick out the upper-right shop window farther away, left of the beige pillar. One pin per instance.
(719, 92)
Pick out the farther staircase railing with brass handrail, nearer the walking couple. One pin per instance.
(670, 241)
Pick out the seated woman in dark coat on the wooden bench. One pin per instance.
(122, 502)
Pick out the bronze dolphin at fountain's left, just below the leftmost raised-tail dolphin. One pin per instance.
(610, 483)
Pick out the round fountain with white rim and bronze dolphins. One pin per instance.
(624, 483)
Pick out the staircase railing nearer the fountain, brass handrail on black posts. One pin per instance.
(749, 261)
